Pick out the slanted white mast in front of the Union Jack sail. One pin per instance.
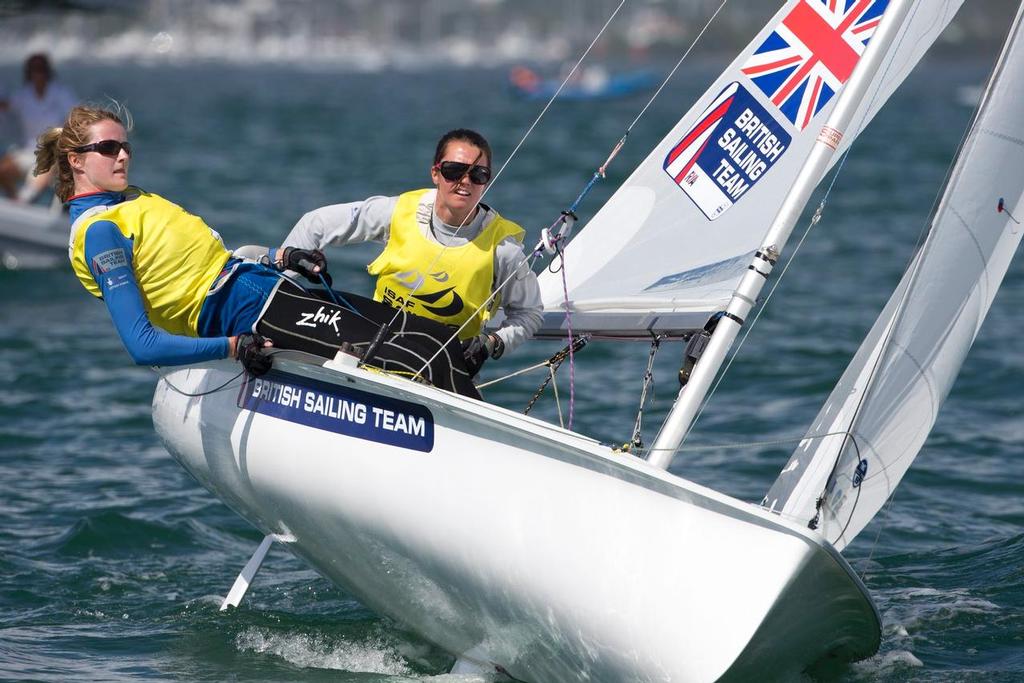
(678, 423)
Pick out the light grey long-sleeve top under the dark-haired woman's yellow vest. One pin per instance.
(370, 221)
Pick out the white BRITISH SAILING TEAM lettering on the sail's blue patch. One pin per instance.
(751, 145)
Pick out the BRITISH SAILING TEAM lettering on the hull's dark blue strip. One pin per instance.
(346, 410)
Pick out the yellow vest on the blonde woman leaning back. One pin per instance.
(176, 258)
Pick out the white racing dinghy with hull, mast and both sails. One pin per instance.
(523, 547)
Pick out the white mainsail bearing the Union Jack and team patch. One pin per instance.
(671, 245)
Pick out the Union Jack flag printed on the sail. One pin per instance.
(812, 54)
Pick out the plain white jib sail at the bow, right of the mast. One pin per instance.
(891, 394)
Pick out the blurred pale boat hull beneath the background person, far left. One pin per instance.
(32, 237)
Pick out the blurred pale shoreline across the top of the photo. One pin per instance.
(410, 35)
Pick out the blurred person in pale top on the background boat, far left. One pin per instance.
(39, 105)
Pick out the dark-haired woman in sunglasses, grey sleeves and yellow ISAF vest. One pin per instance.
(447, 258)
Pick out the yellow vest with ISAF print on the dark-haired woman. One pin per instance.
(446, 284)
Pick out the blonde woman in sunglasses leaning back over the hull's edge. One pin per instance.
(177, 294)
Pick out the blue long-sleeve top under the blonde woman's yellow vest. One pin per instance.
(147, 345)
